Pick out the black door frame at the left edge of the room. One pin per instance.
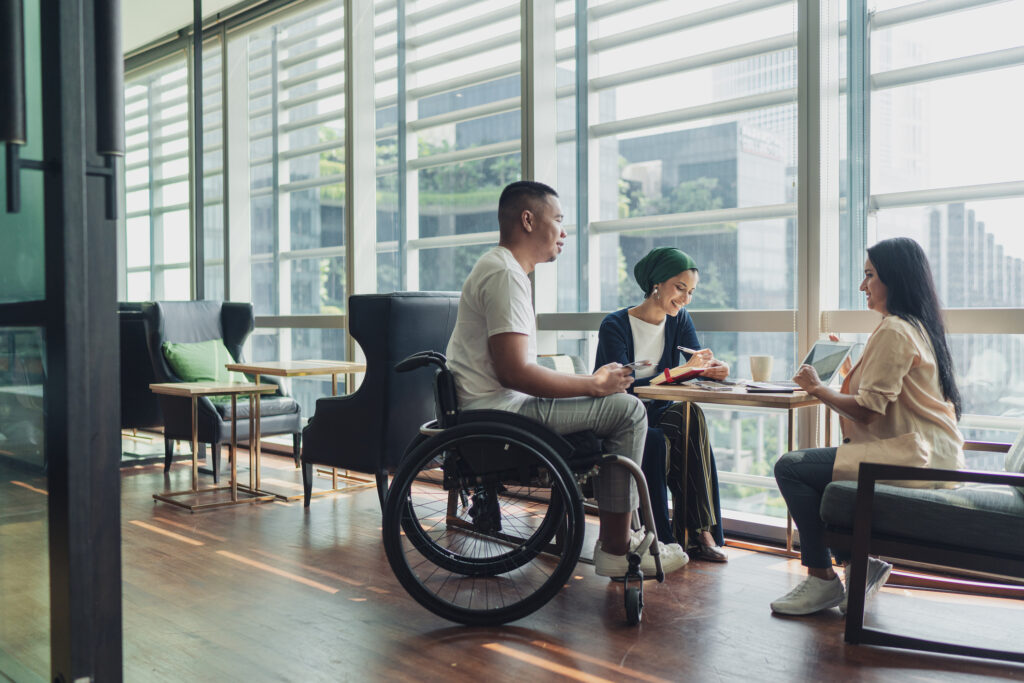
(79, 322)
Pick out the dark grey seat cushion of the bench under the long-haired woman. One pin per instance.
(986, 518)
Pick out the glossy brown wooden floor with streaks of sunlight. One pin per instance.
(280, 593)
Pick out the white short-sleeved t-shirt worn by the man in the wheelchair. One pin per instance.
(496, 298)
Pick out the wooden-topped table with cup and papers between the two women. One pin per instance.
(738, 396)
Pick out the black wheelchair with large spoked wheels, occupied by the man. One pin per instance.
(484, 522)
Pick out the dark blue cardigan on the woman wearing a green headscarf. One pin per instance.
(615, 345)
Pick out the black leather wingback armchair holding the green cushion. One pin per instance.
(190, 322)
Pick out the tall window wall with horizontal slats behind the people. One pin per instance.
(661, 123)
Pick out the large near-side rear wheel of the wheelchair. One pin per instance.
(470, 520)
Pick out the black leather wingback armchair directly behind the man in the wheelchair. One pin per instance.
(369, 431)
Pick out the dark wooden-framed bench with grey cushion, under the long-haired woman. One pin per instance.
(866, 530)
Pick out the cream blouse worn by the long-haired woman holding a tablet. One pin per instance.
(898, 377)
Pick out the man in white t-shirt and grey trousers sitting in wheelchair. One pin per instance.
(493, 352)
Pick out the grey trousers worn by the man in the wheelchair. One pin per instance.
(619, 419)
